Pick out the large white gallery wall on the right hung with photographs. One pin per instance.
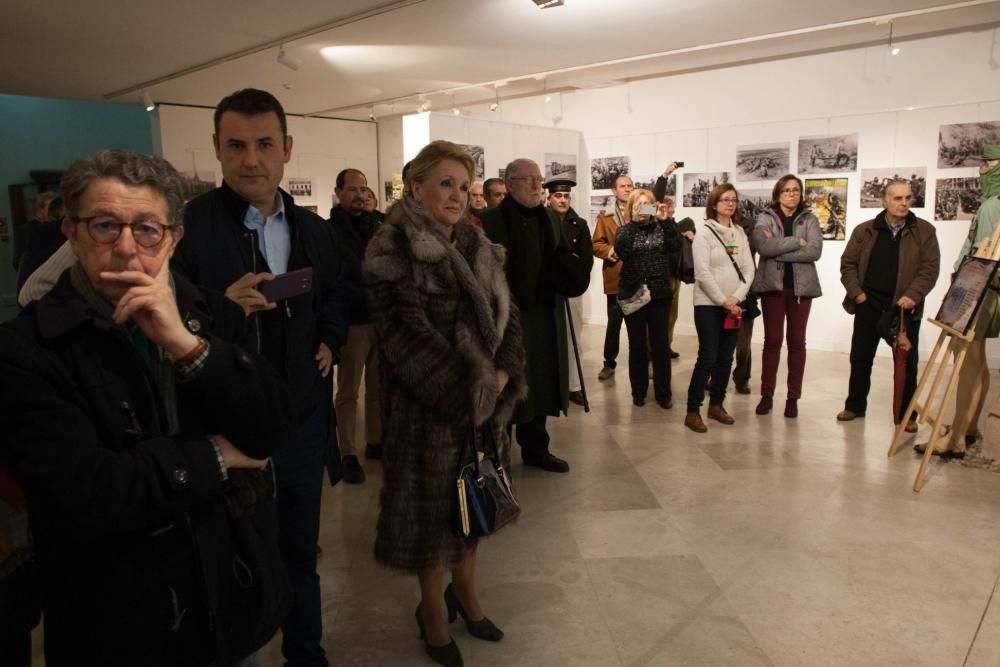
(895, 105)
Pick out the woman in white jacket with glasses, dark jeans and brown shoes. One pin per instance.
(723, 273)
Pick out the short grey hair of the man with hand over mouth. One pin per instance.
(129, 168)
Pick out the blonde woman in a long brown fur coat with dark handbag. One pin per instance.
(451, 357)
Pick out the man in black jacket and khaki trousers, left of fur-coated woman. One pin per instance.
(353, 228)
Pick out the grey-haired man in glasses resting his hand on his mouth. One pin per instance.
(140, 435)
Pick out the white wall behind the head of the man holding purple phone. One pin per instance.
(321, 147)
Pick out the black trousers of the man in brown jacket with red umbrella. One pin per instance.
(864, 344)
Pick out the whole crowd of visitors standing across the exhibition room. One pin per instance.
(184, 373)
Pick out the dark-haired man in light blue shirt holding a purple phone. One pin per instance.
(239, 235)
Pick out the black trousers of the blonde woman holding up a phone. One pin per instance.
(652, 323)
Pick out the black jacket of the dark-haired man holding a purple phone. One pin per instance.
(218, 249)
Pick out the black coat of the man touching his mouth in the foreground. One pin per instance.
(140, 560)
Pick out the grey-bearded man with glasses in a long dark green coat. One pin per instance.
(542, 270)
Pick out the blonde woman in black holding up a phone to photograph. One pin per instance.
(646, 245)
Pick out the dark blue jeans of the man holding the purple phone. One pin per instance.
(299, 473)
